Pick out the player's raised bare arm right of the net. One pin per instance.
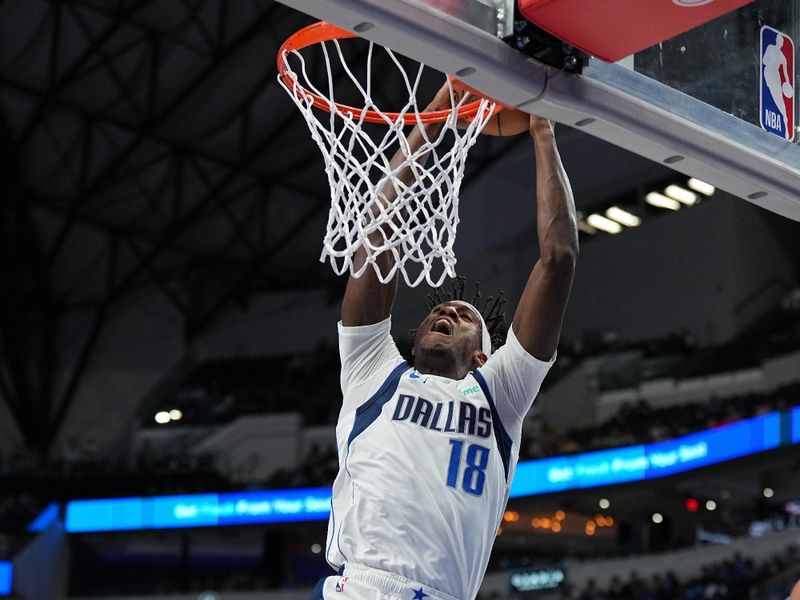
(540, 312)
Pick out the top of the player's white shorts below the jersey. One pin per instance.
(358, 582)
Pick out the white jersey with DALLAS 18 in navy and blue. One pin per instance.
(425, 462)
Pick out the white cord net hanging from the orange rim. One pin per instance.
(387, 195)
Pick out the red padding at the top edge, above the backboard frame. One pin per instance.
(614, 29)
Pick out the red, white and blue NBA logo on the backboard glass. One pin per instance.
(777, 83)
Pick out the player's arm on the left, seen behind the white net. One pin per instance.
(366, 299)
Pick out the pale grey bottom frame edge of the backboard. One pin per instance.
(607, 101)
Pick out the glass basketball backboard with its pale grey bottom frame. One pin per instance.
(690, 103)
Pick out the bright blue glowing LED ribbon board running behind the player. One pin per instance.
(591, 469)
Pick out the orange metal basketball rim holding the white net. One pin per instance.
(324, 32)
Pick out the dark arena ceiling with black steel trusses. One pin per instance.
(146, 144)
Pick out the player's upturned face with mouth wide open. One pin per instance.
(449, 326)
